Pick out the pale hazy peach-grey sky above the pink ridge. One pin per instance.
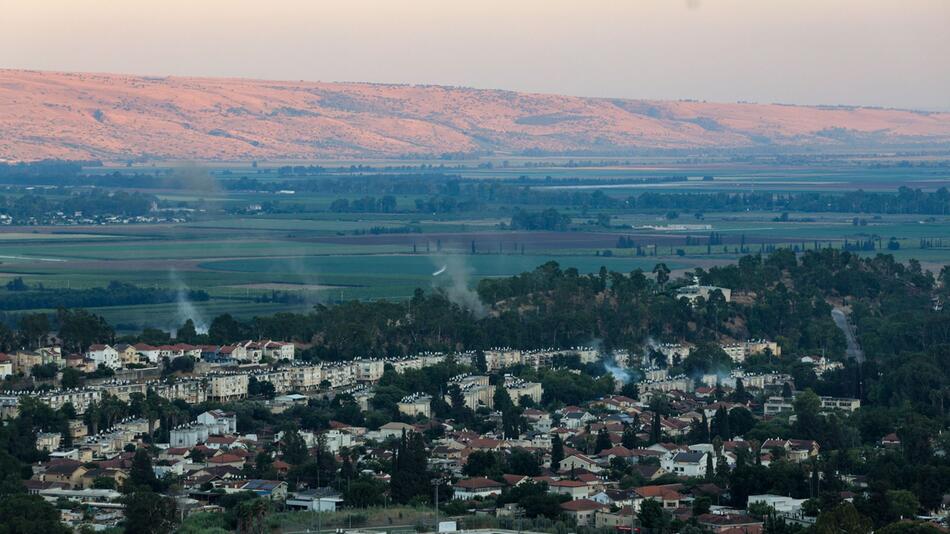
(857, 52)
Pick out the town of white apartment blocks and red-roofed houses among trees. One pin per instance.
(661, 445)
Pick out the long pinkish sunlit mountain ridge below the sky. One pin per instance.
(116, 117)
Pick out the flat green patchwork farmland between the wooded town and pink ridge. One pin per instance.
(244, 253)
